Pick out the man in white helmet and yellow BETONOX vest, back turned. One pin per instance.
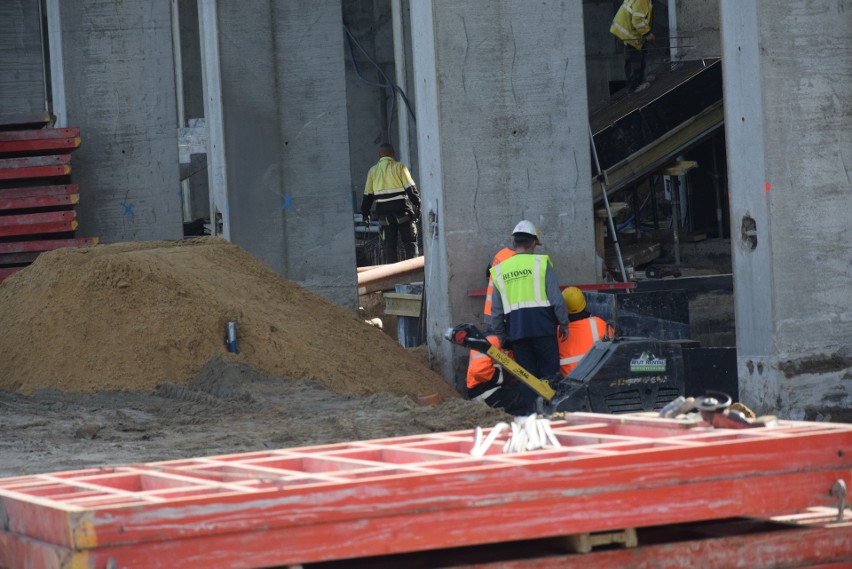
(528, 306)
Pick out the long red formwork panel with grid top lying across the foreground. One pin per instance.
(426, 493)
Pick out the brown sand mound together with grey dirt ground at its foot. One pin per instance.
(117, 356)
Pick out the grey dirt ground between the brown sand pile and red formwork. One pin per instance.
(228, 408)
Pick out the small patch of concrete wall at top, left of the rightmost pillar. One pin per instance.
(697, 29)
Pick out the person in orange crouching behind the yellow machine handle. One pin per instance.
(487, 382)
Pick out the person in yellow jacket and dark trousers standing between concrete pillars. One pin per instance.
(391, 187)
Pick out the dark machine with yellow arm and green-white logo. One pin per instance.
(618, 375)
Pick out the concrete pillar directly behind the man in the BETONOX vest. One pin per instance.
(502, 124)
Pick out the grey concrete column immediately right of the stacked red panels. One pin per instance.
(118, 69)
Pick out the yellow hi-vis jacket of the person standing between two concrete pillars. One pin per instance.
(390, 185)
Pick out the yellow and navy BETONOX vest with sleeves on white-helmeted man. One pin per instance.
(528, 303)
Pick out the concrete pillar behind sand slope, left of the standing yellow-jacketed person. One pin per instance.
(285, 146)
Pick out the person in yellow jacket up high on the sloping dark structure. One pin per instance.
(632, 25)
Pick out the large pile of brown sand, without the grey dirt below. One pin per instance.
(132, 316)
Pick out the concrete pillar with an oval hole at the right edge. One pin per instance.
(788, 115)
